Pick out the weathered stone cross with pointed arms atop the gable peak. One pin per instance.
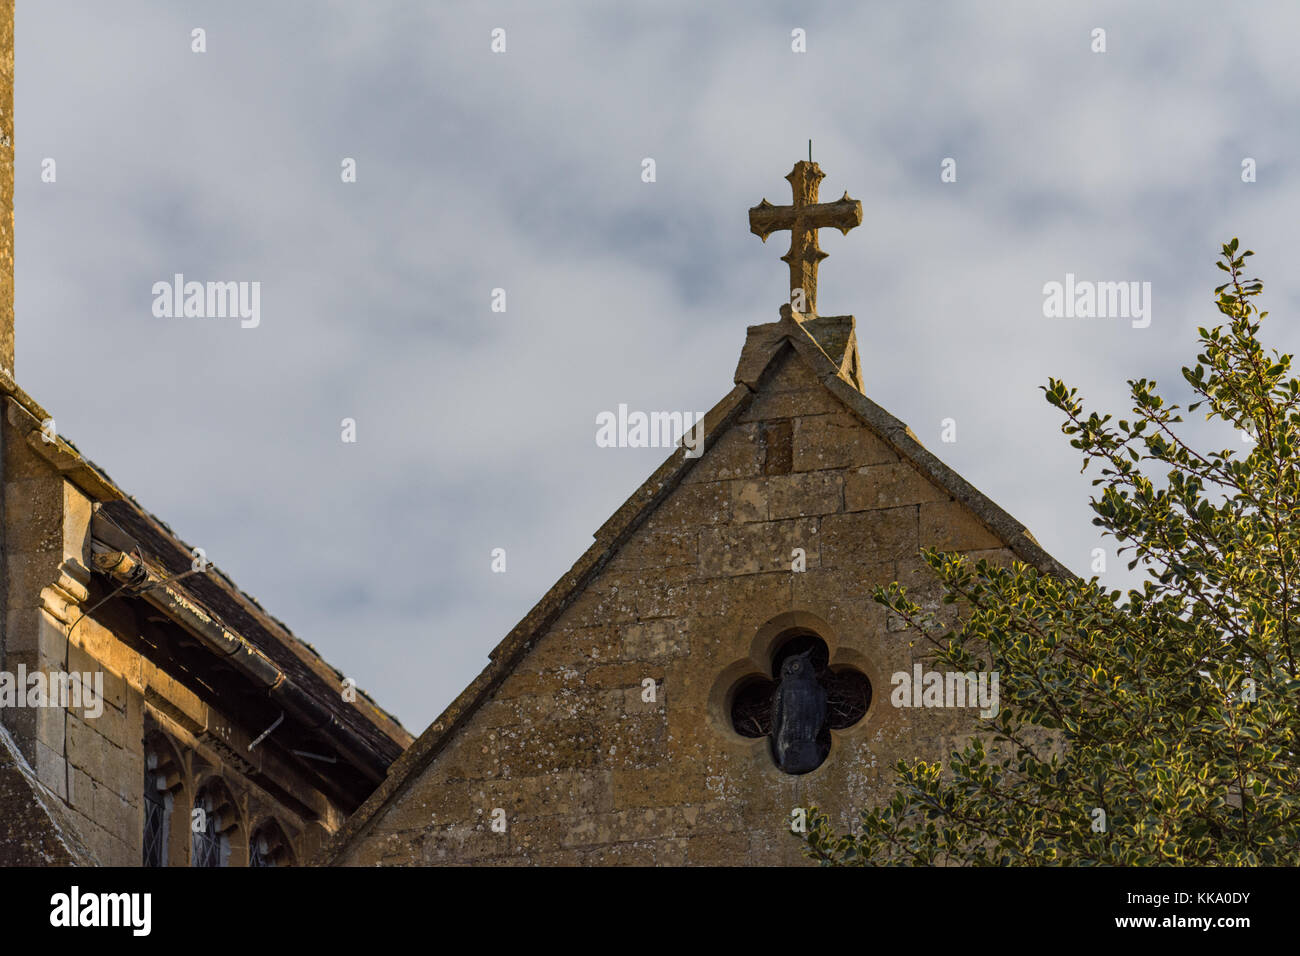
(804, 219)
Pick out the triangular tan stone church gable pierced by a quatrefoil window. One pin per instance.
(629, 720)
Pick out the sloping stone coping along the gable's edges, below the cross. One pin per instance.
(842, 377)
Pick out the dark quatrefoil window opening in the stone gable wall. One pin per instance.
(801, 704)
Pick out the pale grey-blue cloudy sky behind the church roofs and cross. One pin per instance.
(522, 171)
